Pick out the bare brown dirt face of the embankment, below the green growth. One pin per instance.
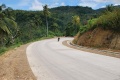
(99, 38)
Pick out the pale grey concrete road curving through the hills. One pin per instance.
(50, 60)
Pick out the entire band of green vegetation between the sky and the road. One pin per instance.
(20, 26)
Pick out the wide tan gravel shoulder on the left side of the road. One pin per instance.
(14, 65)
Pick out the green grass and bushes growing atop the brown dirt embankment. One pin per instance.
(108, 20)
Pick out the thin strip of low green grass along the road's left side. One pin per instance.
(4, 49)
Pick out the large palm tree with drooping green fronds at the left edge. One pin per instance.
(7, 25)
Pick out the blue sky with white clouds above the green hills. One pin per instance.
(37, 4)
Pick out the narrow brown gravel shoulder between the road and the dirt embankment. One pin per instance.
(107, 52)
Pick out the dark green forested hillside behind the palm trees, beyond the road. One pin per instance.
(32, 24)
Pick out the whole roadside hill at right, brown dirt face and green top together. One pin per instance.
(101, 32)
